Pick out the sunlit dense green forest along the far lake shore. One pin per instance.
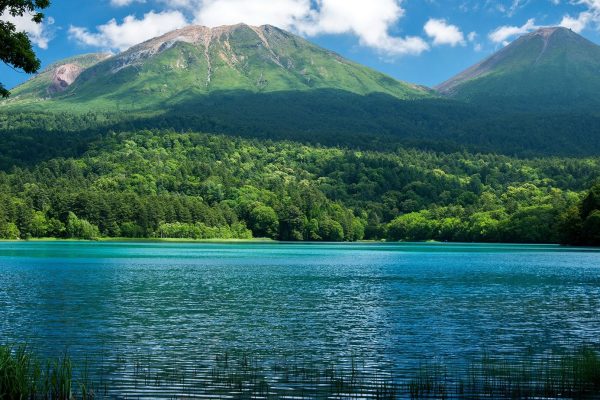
(167, 184)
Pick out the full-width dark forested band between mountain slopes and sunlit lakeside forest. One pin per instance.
(325, 117)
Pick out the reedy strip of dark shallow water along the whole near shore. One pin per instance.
(570, 376)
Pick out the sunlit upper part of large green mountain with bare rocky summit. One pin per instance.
(196, 61)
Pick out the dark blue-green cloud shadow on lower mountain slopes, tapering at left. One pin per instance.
(380, 122)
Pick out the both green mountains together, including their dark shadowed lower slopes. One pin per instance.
(263, 82)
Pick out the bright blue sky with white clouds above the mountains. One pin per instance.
(419, 41)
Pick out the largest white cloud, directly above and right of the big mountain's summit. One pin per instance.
(370, 21)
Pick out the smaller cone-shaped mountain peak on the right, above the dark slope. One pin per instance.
(549, 69)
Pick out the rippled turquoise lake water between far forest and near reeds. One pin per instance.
(392, 306)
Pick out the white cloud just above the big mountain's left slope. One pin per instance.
(131, 31)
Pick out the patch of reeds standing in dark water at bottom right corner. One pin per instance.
(571, 376)
